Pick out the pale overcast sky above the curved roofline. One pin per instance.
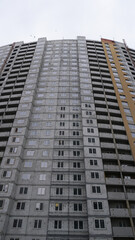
(28, 20)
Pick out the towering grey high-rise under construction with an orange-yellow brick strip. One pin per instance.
(67, 140)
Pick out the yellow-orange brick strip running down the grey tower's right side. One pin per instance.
(126, 91)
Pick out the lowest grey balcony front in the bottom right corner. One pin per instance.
(122, 232)
